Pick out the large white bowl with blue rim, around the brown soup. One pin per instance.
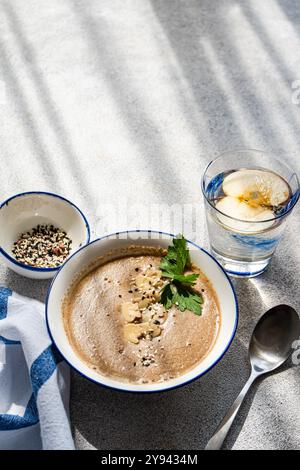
(102, 246)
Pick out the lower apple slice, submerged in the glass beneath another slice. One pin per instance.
(248, 215)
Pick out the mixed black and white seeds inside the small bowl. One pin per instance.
(44, 246)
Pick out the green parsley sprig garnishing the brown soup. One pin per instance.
(179, 290)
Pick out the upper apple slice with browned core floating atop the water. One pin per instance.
(257, 187)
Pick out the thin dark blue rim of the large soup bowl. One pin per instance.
(168, 388)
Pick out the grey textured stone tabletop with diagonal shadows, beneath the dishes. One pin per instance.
(119, 102)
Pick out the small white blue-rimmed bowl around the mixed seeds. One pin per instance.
(24, 211)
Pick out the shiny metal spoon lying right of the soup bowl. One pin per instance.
(270, 347)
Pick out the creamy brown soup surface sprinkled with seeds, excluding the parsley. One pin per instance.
(117, 326)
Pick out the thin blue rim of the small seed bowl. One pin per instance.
(31, 268)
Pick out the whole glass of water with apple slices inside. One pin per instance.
(248, 196)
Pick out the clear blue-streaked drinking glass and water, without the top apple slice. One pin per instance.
(245, 249)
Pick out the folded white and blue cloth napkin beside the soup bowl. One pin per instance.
(34, 381)
